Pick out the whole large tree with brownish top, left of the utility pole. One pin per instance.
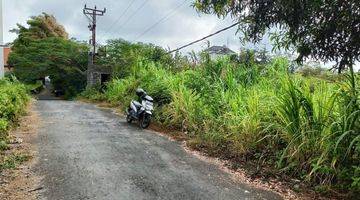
(43, 49)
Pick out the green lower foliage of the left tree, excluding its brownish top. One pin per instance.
(63, 60)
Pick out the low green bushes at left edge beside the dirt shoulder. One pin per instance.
(13, 100)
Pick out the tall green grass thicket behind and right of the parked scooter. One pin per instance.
(303, 126)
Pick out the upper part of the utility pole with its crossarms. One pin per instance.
(91, 14)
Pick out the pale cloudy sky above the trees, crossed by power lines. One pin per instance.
(182, 25)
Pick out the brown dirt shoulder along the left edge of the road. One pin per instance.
(21, 182)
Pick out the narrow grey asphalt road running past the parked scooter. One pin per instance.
(90, 153)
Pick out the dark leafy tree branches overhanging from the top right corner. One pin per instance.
(328, 30)
